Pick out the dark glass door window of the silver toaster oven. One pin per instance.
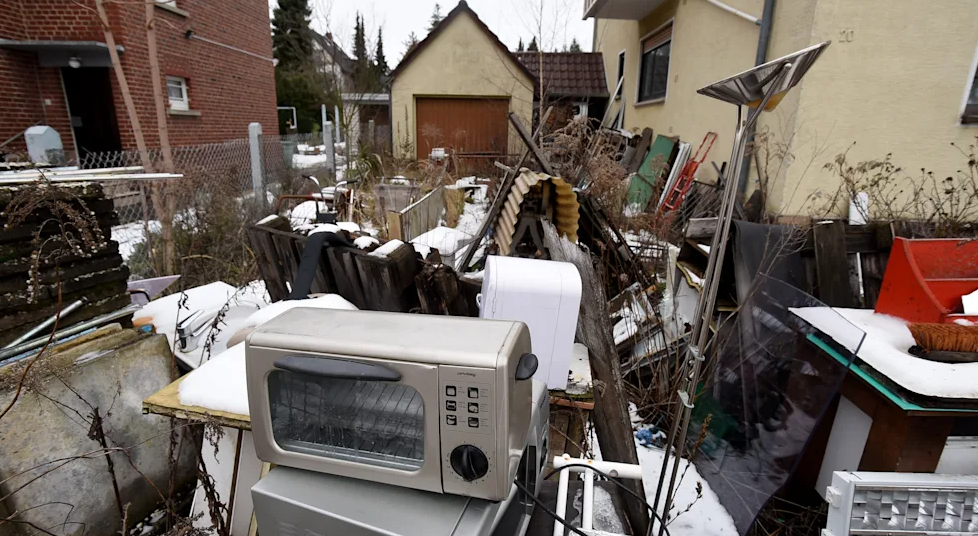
(370, 422)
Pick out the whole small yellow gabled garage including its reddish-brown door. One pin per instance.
(455, 89)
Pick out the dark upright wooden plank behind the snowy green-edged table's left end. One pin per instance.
(831, 265)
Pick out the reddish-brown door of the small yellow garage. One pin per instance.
(467, 126)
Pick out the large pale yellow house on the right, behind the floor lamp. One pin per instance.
(899, 78)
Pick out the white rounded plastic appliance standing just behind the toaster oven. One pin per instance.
(544, 295)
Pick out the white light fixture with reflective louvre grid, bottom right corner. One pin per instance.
(901, 503)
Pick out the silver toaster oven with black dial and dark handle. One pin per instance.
(435, 403)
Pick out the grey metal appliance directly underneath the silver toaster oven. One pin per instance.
(294, 501)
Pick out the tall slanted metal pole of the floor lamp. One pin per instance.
(706, 304)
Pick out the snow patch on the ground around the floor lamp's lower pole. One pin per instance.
(706, 516)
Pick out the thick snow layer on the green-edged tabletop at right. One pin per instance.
(885, 348)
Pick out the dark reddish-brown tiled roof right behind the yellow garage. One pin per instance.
(568, 74)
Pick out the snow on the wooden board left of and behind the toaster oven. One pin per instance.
(221, 383)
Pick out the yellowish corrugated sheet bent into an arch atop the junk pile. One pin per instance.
(566, 213)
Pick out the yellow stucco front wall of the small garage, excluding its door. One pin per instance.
(461, 62)
